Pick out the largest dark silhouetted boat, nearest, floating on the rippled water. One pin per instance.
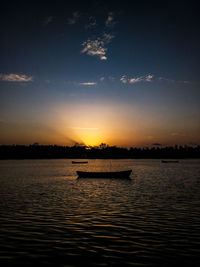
(119, 174)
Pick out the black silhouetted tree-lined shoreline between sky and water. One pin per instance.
(15, 152)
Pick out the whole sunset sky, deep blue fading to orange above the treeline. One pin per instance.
(124, 73)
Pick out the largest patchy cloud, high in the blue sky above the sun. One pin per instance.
(97, 47)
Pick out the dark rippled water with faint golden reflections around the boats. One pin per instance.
(49, 217)
